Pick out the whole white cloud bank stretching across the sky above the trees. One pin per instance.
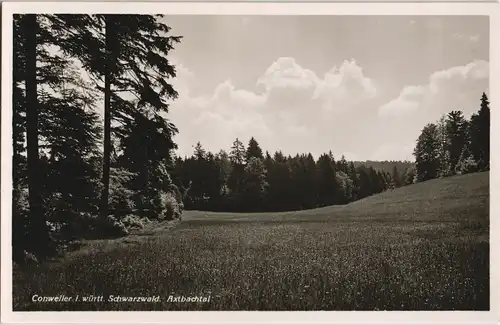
(296, 111)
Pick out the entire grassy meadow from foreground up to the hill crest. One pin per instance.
(422, 247)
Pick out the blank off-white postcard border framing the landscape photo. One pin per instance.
(258, 8)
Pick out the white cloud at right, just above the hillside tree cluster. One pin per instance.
(456, 88)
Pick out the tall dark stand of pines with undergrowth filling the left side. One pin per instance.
(76, 175)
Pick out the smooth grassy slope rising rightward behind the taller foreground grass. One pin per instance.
(463, 198)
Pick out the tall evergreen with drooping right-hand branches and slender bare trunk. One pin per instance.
(135, 48)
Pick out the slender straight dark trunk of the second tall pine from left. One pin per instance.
(107, 120)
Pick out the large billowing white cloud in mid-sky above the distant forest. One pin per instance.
(289, 113)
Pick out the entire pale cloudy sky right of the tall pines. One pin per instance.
(363, 86)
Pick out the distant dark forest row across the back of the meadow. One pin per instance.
(247, 179)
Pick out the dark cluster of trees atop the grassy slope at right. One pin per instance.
(454, 145)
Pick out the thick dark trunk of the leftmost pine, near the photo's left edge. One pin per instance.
(38, 227)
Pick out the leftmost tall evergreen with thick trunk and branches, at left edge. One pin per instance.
(67, 157)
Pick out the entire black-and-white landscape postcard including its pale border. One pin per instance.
(246, 161)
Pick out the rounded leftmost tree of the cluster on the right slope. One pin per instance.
(427, 153)
